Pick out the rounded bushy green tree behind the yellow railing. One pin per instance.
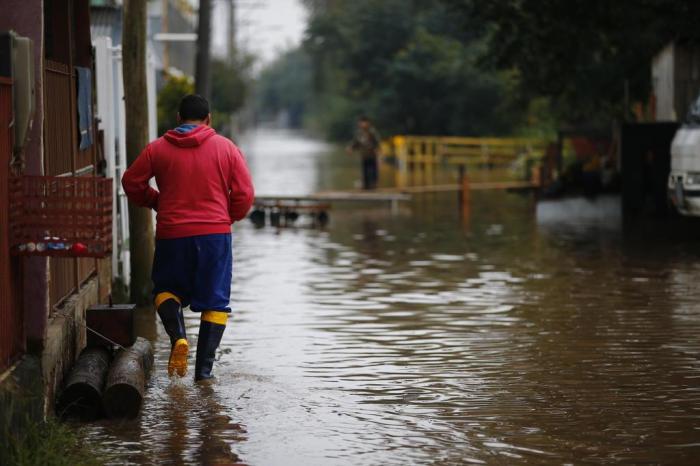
(431, 86)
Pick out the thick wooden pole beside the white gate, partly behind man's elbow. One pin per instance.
(141, 242)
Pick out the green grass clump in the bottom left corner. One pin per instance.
(46, 444)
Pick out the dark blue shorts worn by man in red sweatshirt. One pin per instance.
(196, 269)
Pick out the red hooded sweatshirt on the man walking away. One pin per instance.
(203, 181)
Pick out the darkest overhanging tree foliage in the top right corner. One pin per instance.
(581, 54)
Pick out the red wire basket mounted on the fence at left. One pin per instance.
(61, 216)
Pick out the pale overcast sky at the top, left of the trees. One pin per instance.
(265, 27)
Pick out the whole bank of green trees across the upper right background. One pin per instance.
(486, 67)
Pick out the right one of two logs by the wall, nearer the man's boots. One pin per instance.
(126, 381)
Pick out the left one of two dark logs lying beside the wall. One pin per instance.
(82, 396)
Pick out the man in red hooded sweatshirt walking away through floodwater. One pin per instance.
(203, 187)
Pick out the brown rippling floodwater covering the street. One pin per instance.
(516, 333)
